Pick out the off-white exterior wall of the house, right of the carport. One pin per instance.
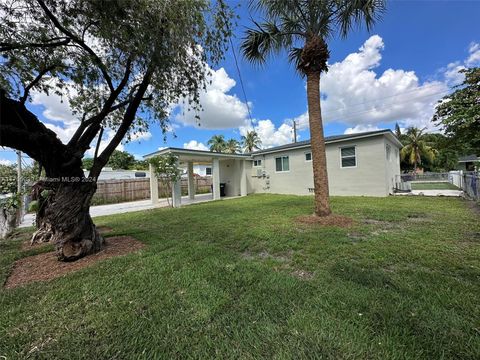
(372, 176)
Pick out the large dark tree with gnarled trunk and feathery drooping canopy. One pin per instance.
(121, 64)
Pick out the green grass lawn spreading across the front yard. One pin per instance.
(241, 279)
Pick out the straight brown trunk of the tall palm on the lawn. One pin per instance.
(319, 159)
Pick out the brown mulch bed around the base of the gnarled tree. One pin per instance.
(45, 266)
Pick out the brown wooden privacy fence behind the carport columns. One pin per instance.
(122, 190)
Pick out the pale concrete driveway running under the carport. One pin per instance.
(111, 209)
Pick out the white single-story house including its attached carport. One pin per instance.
(362, 164)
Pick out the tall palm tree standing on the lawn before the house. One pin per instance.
(302, 27)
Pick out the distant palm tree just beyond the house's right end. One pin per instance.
(416, 147)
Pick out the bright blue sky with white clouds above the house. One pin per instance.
(395, 73)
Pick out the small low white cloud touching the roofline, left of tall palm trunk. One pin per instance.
(269, 134)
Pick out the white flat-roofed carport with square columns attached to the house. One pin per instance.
(226, 168)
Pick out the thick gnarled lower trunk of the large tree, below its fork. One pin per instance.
(63, 218)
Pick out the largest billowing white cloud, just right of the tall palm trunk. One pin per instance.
(356, 95)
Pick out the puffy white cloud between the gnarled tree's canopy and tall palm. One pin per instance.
(220, 109)
